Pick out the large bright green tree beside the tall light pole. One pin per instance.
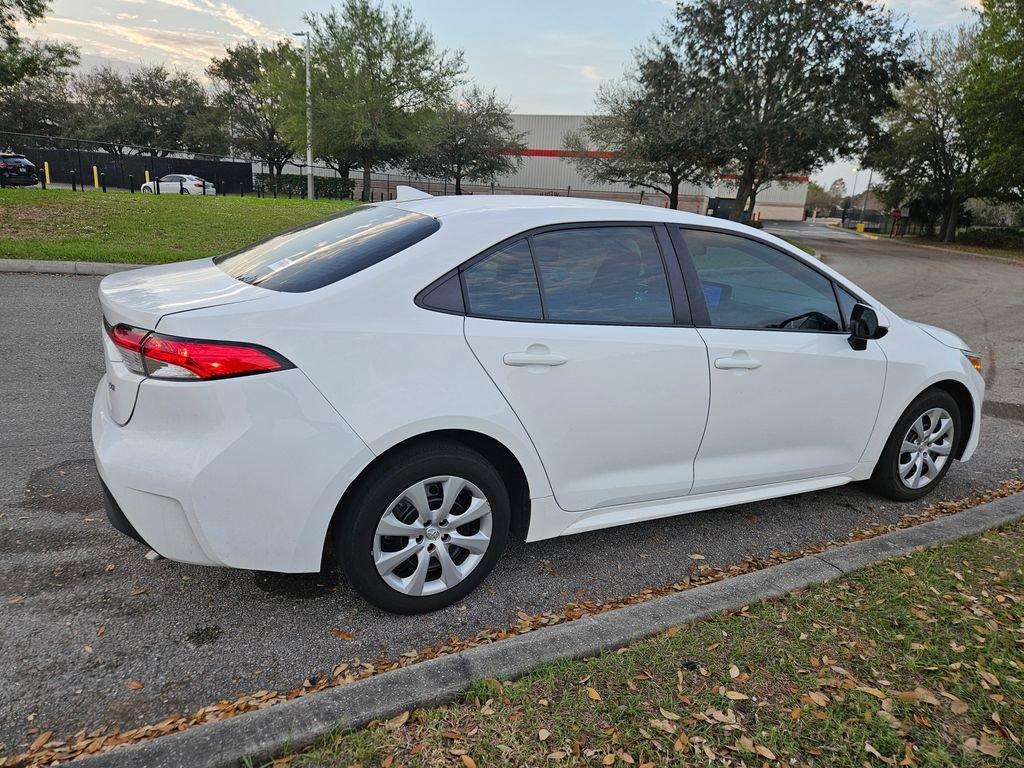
(378, 80)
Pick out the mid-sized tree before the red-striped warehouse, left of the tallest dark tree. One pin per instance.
(654, 131)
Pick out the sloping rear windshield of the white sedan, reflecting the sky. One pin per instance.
(324, 252)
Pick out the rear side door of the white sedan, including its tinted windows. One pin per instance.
(586, 332)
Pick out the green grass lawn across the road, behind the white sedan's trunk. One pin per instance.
(142, 229)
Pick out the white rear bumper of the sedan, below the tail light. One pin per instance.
(241, 473)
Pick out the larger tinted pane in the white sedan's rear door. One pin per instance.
(604, 275)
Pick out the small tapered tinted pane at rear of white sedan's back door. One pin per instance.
(504, 285)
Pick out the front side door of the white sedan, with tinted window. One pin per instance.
(791, 399)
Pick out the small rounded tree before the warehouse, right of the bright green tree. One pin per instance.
(474, 140)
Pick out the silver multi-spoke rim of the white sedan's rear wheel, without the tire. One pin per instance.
(433, 536)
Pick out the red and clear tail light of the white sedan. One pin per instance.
(150, 354)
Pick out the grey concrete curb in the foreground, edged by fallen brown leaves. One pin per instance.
(303, 722)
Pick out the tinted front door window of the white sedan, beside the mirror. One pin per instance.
(750, 285)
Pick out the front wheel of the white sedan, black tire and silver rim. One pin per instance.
(920, 450)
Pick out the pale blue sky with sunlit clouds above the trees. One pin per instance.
(544, 56)
